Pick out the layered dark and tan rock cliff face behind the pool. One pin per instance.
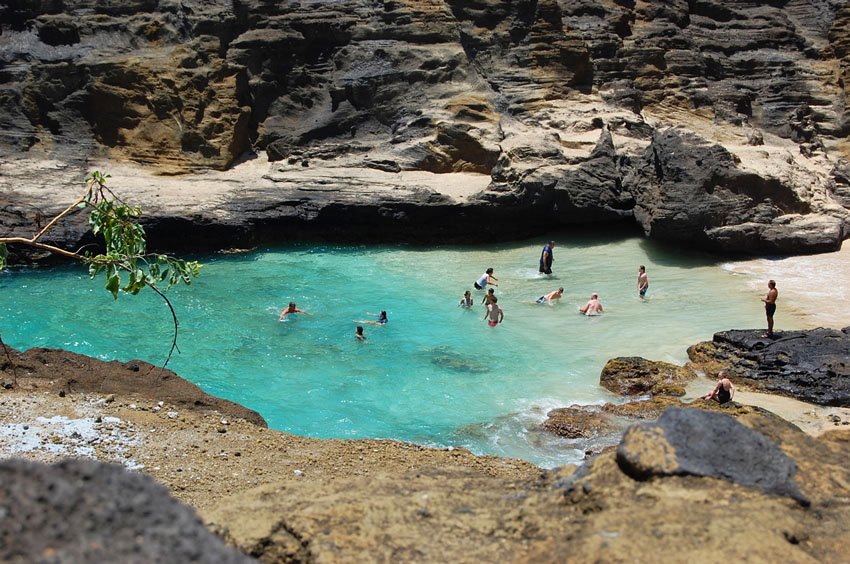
(722, 124)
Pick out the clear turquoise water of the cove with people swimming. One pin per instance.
(436, 374)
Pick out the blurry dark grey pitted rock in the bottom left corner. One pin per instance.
(85, 511)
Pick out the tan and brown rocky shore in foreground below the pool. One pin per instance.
(661, 491)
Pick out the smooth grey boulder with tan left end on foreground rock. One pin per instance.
(701, 443)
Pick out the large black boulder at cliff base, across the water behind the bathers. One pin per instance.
(689, 190)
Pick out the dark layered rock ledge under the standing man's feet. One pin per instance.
(812, 365)
